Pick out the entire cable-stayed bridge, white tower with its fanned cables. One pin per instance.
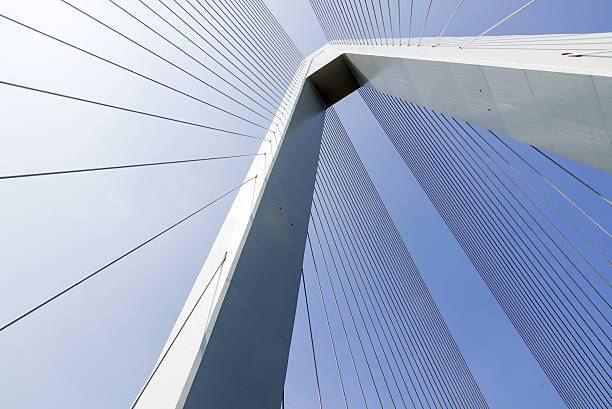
(478, 120)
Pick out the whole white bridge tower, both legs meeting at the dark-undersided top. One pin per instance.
(230, 345)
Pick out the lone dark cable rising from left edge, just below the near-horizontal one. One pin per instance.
(89, 276)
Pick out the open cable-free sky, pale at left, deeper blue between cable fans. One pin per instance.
(95, 347)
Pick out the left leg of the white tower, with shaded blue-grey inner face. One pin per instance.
(233, 351)
